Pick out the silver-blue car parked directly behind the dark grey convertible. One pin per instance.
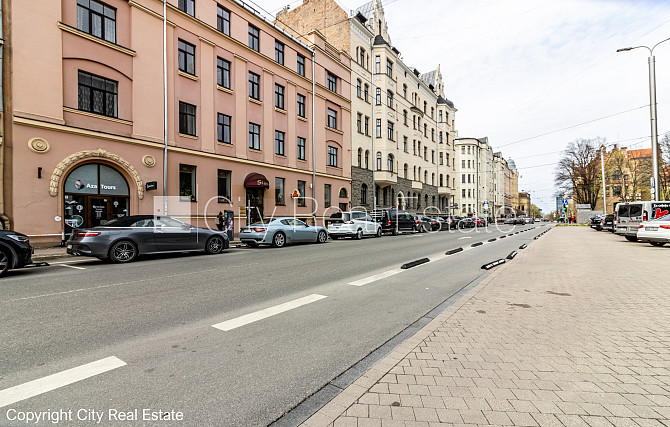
(281, 231)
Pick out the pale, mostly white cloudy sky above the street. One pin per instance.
(534, 75)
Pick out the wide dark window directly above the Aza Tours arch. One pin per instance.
(97, 95)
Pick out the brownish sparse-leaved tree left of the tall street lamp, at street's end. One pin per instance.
(578, 171)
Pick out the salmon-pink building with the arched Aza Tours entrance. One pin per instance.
(86, 127)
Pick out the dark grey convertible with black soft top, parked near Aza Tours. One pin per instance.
(123, 239)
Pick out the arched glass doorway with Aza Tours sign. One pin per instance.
(94, 193)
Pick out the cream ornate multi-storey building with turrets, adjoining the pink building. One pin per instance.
(402, 124)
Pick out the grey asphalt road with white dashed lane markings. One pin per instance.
(156, 316)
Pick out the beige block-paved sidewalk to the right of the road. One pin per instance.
(575, 331)
